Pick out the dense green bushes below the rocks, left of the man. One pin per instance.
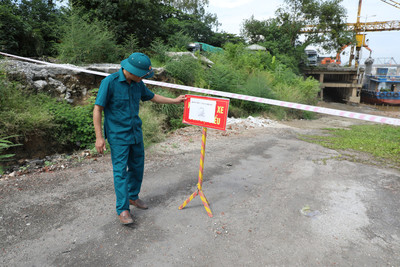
(40, 115)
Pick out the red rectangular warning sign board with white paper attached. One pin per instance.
(209, 112)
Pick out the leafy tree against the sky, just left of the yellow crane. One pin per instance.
(282, 34)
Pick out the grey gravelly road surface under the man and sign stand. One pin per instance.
(276, 201)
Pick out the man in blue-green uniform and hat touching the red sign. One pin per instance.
(119, 96)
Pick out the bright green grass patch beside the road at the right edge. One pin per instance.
(382, 142)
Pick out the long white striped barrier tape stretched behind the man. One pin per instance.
(322, 110)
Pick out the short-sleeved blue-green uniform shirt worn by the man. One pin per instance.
(122, 125)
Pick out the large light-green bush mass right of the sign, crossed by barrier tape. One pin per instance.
(241, 71)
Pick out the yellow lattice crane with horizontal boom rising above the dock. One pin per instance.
(361, 28)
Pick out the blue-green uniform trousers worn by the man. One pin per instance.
(128, 167)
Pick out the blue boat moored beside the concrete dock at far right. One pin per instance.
(381, 89)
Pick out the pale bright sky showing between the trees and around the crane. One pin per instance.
(386, 44)
